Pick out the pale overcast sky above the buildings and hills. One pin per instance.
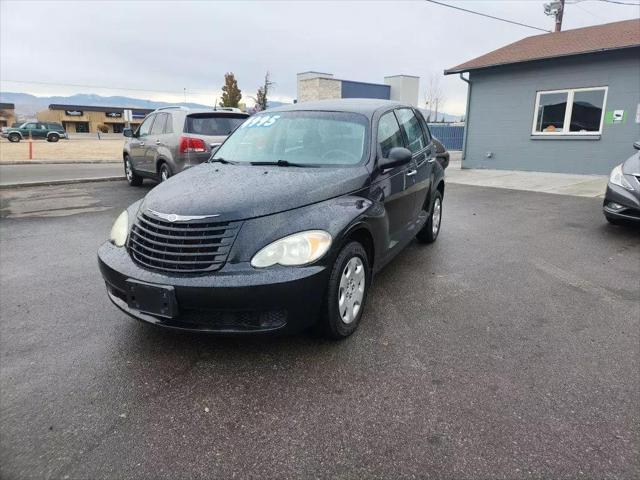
(163, 47)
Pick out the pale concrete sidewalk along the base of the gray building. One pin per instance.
(556, 183)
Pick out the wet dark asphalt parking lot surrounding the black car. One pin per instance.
(508, 349)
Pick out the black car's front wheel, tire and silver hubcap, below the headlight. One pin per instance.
(347, 292)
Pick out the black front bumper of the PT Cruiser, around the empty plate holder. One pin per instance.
(234, 299)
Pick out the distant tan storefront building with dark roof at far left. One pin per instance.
(87, 118)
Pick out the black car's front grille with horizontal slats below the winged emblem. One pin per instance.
(181, 247)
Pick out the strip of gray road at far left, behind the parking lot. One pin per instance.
(16, 174)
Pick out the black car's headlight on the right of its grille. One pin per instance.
(297, 249)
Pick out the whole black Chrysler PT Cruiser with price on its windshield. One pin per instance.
(286, 224)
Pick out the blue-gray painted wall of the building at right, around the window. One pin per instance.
(502, 107)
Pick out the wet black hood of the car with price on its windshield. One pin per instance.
(240, 192)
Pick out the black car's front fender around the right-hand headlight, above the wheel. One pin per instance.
(338, 216)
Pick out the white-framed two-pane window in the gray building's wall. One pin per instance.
(578, 111)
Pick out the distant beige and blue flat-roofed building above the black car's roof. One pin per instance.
(324, 86)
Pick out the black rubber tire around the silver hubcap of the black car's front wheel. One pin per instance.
(331, 323)
